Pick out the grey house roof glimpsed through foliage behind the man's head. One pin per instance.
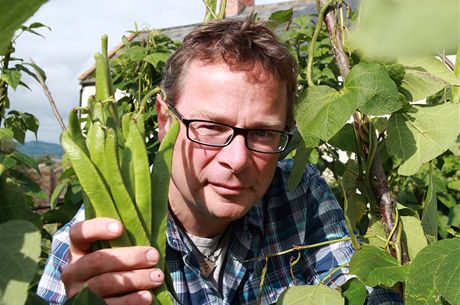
(179, 32)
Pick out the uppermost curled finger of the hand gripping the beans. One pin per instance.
(84, 234)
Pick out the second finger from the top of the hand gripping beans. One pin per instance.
(111, 260)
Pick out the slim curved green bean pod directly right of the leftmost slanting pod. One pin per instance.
(123, 201)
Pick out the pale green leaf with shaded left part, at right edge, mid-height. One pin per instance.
(422, 135)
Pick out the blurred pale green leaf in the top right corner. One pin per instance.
(390, 28)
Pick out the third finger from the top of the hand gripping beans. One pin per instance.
(121, 283)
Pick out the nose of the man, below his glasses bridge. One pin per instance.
(235, 156)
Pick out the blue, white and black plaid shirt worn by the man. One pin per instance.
(308, 215)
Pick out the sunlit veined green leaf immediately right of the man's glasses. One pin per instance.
(322, 111)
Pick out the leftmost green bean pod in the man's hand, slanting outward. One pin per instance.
(93, 185)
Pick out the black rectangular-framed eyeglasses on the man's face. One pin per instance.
(219, 135)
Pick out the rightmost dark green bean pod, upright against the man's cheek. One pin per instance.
(160, 188)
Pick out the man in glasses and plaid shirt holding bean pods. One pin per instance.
(232, 86)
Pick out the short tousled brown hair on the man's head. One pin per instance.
(239, 43)
